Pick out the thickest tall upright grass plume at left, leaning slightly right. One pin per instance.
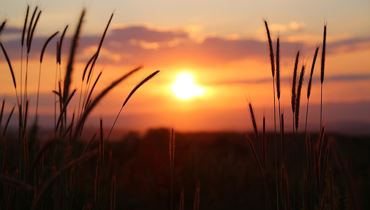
(72, 55)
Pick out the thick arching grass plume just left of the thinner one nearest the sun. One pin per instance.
(99, 97)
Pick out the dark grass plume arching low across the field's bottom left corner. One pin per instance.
(48, 183)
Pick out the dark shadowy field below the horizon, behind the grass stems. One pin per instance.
(220, 165)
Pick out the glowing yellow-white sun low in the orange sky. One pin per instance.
(185, 87)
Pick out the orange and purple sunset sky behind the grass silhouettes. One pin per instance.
(221, 44)
